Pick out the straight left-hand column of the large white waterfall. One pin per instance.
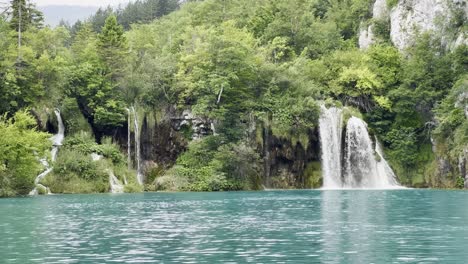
(330, 123)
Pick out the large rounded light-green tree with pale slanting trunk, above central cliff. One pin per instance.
(218, 73)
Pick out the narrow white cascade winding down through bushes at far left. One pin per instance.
(57, 140)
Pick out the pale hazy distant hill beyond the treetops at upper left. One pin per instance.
(54, 13)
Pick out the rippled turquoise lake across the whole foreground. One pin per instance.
(399, 226)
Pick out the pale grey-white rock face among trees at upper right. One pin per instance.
(412, 17)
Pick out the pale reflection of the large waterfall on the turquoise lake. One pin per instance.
(351, 222)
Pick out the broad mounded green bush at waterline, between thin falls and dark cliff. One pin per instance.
(209, 165)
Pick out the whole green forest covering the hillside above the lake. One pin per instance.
(222, 95)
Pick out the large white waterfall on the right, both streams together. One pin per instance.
(360, 163)
